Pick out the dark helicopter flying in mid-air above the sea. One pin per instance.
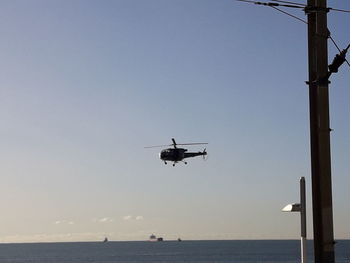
(176, 154)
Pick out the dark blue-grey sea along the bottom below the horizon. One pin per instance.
(166, 251)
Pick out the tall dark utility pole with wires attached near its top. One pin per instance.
(318, 34)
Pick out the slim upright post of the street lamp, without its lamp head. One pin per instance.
(303, 220)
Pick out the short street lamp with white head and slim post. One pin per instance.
(300, 207)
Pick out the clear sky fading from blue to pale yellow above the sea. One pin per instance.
(86, 85)
